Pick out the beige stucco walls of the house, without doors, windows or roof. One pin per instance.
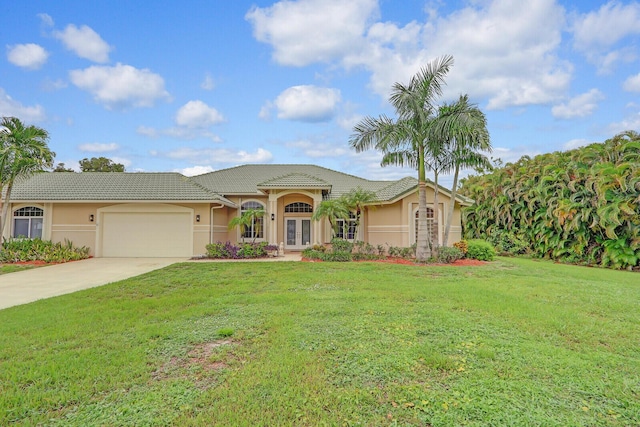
(389, 223)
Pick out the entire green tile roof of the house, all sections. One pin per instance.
(213, 186)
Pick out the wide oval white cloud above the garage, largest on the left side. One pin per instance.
(120, 86)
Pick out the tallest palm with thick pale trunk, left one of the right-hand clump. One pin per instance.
(408, 136)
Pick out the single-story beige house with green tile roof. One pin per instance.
(171, 215)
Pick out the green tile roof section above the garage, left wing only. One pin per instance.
(110, 186)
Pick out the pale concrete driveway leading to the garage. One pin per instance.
(44, 282)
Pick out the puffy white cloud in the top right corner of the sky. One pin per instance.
(596, 33)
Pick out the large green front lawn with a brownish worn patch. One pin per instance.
(513, 343)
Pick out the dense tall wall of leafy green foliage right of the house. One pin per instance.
(578, 206)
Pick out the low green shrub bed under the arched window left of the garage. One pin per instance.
(22, 250)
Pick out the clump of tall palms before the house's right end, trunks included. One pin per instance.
(425, 136)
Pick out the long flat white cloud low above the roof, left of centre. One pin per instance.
(220, 155)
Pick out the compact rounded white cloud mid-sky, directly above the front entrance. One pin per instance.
(307, 103)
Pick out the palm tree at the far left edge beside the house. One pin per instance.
(23, 152)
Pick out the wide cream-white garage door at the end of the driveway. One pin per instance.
(147, 234)
